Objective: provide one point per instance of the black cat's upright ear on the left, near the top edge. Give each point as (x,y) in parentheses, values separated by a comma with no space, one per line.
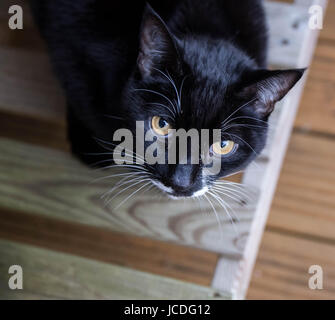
(158,48)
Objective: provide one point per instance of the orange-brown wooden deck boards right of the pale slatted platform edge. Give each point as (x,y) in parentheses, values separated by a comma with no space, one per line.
(301,227)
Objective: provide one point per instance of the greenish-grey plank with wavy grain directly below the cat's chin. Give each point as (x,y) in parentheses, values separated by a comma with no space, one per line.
(51,183)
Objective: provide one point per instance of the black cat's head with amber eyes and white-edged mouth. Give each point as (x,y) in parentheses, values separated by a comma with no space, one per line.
(192,82)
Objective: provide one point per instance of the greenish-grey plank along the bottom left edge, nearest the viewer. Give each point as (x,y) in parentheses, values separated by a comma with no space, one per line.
(47,274)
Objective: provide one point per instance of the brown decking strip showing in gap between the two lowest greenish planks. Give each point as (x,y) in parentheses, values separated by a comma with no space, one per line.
(161,258)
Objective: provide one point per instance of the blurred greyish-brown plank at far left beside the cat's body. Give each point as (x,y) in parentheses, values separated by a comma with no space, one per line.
(27,86)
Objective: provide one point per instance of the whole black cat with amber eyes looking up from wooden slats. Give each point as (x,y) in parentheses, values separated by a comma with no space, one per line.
(172,64)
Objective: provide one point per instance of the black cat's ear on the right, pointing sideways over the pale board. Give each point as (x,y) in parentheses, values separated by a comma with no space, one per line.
(268,87)
